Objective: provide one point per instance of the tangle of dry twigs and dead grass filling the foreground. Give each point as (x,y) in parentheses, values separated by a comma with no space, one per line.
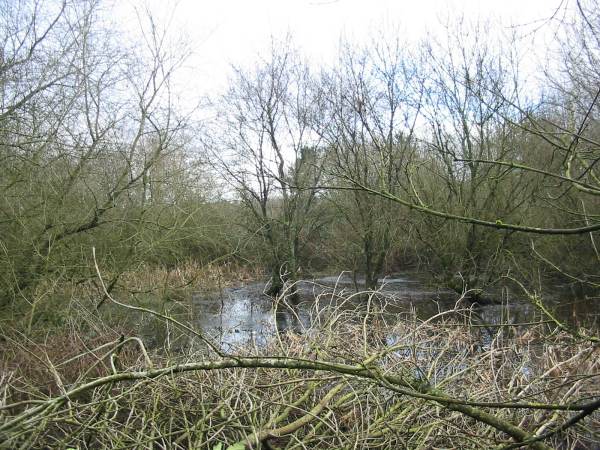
(297,408)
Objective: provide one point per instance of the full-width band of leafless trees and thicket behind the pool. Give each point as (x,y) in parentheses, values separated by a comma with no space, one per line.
(440,155)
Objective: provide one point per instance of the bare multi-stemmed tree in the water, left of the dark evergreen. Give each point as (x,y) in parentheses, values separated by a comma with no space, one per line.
(270,155)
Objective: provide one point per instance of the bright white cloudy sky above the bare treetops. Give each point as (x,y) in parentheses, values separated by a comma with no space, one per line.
(225,32)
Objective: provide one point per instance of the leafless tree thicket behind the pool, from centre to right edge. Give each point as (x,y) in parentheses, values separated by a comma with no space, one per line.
(440,155)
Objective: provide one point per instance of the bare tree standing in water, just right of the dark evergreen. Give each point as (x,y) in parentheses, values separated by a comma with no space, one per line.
(371,116)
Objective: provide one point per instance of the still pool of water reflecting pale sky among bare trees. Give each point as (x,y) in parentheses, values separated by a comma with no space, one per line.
(244,315)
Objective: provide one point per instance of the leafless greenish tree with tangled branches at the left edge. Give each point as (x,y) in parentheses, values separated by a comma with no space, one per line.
(84,121)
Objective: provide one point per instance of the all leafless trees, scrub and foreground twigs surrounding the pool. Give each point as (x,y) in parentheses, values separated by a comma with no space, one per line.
(443,157)
